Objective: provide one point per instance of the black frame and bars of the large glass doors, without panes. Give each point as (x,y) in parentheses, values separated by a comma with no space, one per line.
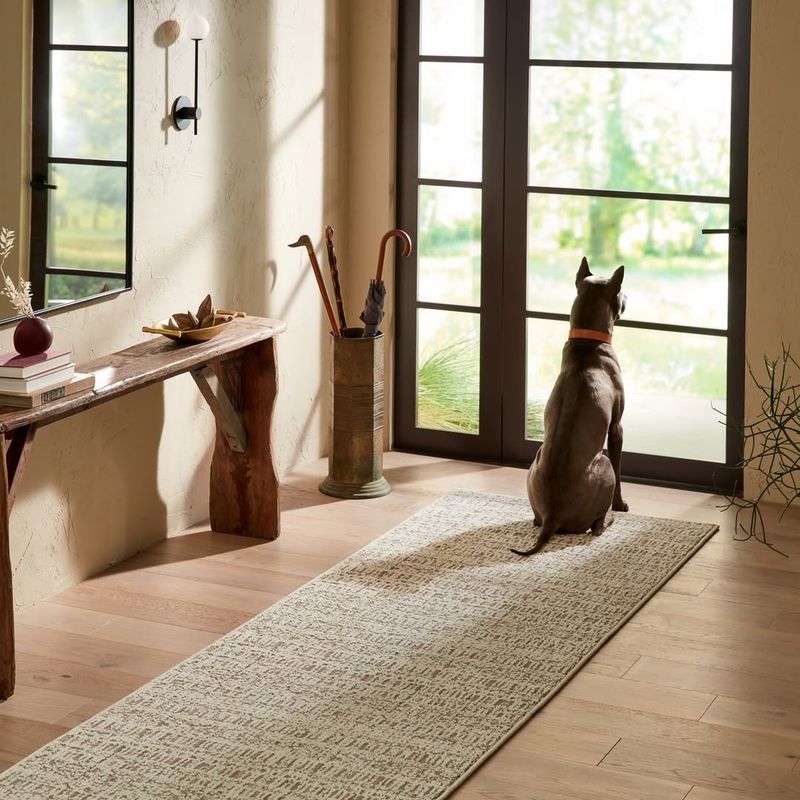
(503,280)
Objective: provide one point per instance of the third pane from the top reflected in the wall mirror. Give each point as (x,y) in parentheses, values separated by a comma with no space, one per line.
(87,218)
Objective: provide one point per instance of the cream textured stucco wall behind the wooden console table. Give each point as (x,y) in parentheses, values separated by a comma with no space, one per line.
(213,212)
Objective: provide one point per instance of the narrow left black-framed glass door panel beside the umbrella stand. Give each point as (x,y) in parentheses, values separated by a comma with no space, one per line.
(452,106)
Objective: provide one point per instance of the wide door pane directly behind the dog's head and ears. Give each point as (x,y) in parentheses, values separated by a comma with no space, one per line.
(674,274)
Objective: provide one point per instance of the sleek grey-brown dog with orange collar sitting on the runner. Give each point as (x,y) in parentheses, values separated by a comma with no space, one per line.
(572,483)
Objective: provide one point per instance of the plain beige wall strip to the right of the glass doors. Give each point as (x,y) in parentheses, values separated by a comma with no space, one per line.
(773,246)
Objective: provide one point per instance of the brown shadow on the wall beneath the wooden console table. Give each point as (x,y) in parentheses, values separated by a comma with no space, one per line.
(98,476)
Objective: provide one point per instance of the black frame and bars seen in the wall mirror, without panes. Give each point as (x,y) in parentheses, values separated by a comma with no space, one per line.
(41,160)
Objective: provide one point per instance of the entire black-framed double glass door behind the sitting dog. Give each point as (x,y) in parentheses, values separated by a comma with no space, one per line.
(535,132)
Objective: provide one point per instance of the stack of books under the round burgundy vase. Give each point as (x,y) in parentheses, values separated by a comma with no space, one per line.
(30,381)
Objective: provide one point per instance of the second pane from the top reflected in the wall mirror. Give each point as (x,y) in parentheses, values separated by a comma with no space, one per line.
(89,105)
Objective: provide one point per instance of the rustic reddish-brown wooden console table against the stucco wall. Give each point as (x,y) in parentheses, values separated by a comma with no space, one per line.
(236,373)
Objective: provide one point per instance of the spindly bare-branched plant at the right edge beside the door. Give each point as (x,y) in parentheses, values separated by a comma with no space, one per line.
(771,445)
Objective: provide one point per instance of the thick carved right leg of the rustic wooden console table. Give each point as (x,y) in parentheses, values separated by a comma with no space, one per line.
(244,485)
